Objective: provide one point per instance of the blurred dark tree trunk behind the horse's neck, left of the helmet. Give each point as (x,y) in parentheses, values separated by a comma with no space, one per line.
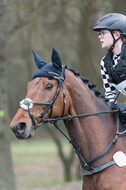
(84,48)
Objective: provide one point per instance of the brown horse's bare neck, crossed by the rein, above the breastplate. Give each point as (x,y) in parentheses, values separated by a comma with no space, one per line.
(91,134)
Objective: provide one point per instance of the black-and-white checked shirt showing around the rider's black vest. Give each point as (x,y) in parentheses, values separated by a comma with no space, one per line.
(110,88)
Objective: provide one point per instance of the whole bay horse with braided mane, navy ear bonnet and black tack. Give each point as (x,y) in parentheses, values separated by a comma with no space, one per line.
(57,93)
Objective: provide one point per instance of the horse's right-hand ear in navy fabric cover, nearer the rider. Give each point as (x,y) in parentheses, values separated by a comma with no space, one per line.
(56,59)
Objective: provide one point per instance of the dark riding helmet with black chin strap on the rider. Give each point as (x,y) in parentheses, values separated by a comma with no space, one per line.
(111,22)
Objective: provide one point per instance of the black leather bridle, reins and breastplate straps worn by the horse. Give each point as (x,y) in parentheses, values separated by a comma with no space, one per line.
(27,104)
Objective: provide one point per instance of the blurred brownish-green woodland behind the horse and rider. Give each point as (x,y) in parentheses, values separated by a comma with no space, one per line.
(42,25)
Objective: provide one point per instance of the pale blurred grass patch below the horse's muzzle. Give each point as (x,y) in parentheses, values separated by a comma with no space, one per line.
(36,163)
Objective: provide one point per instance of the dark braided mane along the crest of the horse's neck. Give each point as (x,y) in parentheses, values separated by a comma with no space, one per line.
(91,86)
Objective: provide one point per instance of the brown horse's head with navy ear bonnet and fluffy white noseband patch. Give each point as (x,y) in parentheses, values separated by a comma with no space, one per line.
(46,97)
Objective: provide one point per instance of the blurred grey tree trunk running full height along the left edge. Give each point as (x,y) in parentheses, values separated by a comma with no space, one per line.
(7,181)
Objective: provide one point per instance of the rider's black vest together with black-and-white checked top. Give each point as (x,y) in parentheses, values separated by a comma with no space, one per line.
(113,72)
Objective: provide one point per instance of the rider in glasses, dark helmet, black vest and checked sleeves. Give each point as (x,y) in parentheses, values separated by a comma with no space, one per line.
(112,36)
